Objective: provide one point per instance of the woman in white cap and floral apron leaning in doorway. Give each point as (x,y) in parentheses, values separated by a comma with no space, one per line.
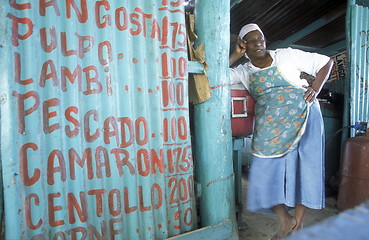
(287,168)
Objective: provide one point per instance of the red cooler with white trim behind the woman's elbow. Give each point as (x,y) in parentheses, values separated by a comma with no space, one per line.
(242,111)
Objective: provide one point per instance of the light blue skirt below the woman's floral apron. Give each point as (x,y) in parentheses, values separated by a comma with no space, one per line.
(296,178)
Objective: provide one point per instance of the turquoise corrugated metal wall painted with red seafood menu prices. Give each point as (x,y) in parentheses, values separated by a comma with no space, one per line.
(94,120)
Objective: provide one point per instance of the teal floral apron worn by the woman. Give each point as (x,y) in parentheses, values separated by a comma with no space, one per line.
(280,113)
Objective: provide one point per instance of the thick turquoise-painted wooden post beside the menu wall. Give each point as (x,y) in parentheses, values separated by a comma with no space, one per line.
(213,142)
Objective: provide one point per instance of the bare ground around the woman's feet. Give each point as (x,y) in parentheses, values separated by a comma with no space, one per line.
(255,226)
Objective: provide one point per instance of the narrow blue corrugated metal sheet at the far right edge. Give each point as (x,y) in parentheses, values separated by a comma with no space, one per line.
(359,63)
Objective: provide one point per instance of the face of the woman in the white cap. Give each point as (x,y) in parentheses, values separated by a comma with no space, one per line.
(255,45)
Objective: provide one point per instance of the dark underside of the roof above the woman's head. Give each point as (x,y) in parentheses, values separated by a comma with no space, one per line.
(281,19)
